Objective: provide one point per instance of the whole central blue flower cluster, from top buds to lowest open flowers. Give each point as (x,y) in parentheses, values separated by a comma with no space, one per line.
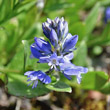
(57,52)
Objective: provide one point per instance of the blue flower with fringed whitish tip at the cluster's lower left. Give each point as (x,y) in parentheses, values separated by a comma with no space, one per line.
(34,76)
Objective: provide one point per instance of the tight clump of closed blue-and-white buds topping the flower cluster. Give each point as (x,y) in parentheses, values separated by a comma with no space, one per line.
(55,29)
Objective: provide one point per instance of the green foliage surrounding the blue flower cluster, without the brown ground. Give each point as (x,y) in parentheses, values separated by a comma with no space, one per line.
(21,21)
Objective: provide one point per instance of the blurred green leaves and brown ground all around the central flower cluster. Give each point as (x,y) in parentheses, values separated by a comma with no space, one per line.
(21,21)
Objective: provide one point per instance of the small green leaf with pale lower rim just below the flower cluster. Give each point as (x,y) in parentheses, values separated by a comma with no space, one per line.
(59,87)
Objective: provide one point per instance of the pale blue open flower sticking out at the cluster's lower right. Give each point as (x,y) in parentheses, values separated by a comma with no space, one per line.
(69,69)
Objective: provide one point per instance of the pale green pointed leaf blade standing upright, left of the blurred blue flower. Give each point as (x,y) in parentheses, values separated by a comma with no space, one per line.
(91,19)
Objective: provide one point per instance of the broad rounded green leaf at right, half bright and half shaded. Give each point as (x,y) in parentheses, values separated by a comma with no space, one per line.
(94,80)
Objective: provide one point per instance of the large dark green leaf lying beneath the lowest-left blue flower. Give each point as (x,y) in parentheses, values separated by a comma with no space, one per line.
(17,85)
